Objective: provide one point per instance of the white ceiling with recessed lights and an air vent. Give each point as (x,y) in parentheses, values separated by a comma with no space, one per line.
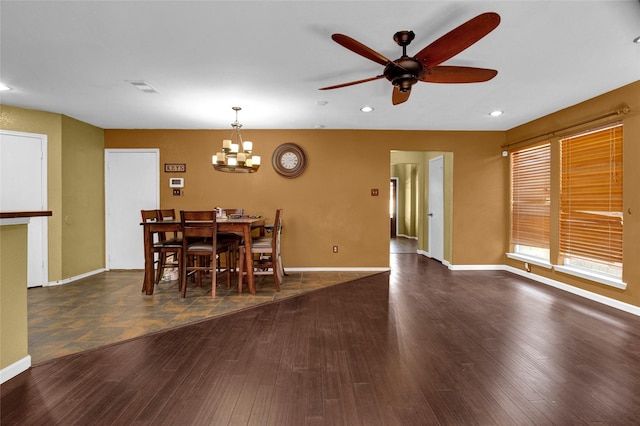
(270,58)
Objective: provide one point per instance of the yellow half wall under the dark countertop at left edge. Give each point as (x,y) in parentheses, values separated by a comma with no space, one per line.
(13,294)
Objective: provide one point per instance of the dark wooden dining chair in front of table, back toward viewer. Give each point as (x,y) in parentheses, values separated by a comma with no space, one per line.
(201,248)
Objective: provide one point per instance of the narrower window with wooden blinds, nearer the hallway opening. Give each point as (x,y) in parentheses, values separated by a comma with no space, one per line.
(531,200)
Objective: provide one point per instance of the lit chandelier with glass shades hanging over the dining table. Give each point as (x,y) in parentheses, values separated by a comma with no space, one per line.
(235,156)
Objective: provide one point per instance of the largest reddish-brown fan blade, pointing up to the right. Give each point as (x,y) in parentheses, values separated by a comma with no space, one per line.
(458,39)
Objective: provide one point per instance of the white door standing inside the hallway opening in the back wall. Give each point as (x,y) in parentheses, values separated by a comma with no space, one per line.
(436,208)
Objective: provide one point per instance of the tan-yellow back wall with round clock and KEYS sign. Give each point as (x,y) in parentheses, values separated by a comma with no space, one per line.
(331,203)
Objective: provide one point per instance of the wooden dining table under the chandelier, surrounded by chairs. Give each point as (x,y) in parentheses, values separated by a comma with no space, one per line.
(244,225)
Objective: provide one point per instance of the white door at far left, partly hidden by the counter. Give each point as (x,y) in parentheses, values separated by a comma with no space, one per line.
(23,186)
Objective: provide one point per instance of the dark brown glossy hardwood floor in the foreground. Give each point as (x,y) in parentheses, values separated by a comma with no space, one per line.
(420,345)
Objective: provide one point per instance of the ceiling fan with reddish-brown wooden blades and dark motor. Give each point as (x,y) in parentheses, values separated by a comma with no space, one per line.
(406,71)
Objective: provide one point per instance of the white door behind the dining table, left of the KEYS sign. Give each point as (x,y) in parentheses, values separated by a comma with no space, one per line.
(131,185)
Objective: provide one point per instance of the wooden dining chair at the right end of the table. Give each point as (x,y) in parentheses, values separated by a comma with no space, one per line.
(265,255)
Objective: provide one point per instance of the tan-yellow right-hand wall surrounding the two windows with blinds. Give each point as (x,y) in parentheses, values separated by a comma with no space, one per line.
(554,126)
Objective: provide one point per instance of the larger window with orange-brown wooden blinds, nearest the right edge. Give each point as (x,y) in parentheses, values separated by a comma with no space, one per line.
(591,201)
